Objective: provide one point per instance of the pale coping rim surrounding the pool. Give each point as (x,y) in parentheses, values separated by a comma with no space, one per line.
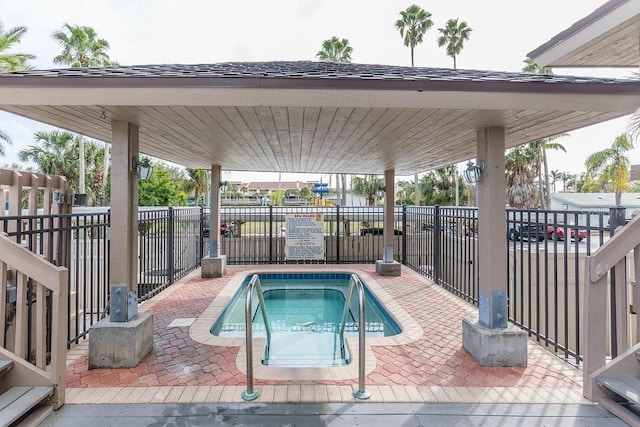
(200,331)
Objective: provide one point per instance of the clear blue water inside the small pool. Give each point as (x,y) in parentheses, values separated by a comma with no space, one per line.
(304,311)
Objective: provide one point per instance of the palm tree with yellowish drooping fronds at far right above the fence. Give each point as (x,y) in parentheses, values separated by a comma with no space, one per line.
(612,164)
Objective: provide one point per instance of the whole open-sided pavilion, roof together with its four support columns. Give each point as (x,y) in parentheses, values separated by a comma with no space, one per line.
(317,117)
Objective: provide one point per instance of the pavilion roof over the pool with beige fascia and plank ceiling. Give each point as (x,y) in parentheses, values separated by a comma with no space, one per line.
(350,121)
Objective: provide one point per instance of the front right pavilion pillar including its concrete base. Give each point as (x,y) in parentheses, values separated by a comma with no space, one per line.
(489,339)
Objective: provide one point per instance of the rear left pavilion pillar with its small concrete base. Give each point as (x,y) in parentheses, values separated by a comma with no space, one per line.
(214,265)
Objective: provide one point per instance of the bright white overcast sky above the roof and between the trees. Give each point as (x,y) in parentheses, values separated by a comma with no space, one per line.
(143,32)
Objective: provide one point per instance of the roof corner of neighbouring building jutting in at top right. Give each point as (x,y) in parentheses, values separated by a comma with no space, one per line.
(608,37)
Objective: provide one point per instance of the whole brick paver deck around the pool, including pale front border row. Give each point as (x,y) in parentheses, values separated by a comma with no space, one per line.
(432,368)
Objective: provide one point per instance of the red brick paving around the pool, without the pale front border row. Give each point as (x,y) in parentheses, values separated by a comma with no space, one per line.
(436,359)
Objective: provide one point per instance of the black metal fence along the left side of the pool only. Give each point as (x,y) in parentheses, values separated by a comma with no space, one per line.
(170,246)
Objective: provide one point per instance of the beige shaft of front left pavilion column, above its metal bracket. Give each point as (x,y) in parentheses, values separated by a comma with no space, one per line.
(124,205)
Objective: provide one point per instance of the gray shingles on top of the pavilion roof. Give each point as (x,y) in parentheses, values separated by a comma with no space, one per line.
(309,70)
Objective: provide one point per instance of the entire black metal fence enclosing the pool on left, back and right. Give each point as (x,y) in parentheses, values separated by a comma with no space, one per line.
(545,261)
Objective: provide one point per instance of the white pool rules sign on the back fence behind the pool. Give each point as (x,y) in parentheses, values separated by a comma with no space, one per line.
(305,237)
